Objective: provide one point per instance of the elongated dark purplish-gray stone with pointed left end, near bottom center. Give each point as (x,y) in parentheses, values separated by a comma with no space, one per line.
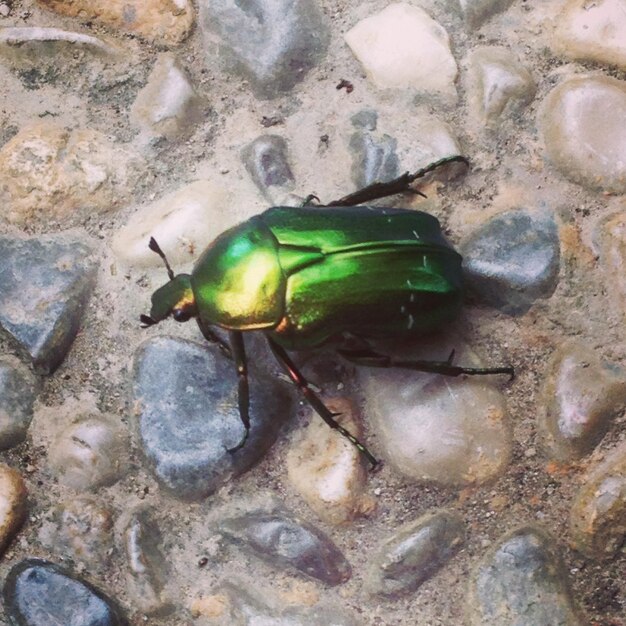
(287,543)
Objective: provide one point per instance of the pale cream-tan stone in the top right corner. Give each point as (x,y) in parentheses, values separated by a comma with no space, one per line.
(592,31)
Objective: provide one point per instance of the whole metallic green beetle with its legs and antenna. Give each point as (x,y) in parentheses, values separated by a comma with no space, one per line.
(305,275)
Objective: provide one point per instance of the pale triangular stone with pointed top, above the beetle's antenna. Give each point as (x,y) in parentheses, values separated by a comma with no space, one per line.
(168,105)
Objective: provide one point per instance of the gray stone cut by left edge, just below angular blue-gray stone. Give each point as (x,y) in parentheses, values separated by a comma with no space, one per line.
(18,390)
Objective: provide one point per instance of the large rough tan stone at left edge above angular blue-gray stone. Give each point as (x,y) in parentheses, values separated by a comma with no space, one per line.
(49,173)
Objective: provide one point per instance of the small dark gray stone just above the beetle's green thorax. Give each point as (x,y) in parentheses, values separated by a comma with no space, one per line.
(266,161)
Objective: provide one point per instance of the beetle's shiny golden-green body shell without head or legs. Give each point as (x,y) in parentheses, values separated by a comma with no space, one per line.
(307,274)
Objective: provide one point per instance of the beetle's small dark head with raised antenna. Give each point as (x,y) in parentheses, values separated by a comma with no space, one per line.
(175,298)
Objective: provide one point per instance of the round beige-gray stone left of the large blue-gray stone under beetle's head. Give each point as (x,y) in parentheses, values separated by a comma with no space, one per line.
(93,452)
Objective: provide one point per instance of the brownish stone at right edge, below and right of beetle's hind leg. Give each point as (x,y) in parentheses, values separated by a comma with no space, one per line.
(580,397)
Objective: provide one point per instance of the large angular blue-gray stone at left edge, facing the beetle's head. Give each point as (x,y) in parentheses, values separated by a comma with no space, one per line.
(44,286)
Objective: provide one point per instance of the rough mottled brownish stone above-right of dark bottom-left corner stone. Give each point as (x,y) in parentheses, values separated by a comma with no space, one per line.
(80,529)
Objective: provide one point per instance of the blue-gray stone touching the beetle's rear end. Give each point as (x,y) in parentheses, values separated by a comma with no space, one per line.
(513,260)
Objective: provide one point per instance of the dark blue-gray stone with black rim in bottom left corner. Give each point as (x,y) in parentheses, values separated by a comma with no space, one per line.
(40,593)
